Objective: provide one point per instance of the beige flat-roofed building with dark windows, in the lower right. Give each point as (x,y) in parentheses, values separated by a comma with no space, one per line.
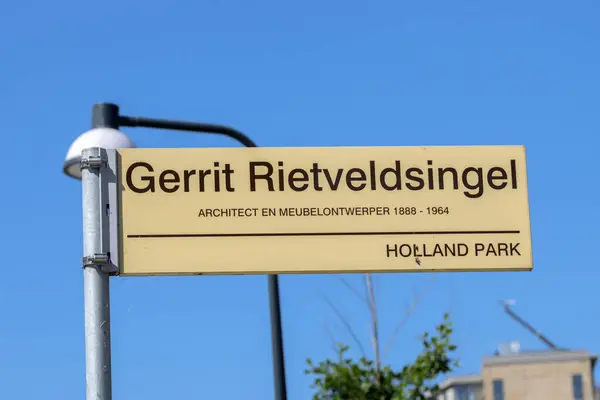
(538,375)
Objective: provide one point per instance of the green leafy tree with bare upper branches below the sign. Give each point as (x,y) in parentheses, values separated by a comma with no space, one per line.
(344,378)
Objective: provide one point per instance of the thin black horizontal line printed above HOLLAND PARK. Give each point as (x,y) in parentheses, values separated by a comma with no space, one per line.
(405,233)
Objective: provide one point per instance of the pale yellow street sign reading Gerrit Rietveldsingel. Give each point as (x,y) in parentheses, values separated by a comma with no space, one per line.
(322,210)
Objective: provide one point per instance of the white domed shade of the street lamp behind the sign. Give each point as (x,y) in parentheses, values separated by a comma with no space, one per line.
(106,138)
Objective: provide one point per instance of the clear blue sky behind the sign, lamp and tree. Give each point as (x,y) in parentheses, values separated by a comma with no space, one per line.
(289,74)
